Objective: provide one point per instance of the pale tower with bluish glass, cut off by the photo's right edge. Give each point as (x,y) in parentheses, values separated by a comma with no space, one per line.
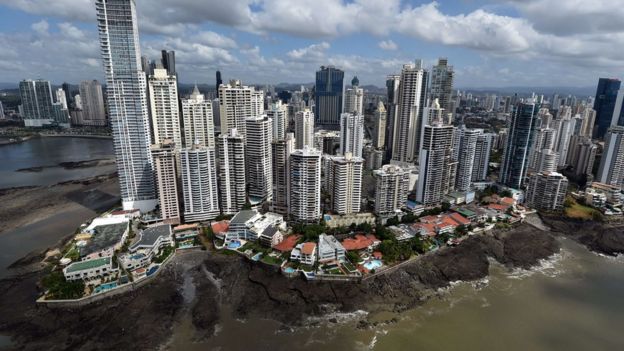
(611,170)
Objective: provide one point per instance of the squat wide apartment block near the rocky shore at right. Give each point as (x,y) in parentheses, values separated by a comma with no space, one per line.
(546,191)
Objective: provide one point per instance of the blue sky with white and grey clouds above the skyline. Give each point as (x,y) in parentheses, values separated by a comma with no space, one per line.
(490,43)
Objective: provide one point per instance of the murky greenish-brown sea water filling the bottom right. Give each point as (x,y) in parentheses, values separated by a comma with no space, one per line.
(570,302)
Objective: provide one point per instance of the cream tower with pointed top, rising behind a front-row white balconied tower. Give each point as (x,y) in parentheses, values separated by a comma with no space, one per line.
(198,121)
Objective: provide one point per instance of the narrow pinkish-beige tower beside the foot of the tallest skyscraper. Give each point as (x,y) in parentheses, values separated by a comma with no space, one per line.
(164,157)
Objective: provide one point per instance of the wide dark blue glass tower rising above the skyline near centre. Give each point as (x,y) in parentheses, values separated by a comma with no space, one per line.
(328,96)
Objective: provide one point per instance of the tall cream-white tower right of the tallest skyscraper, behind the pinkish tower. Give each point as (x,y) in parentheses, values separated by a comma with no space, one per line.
(163,98)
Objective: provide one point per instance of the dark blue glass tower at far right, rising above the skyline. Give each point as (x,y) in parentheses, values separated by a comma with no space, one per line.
(604,105)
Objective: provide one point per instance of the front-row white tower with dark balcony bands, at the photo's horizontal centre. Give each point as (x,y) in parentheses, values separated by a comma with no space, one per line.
(304,185)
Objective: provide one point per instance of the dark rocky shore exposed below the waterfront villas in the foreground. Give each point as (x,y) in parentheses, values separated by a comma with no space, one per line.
(219,283)
